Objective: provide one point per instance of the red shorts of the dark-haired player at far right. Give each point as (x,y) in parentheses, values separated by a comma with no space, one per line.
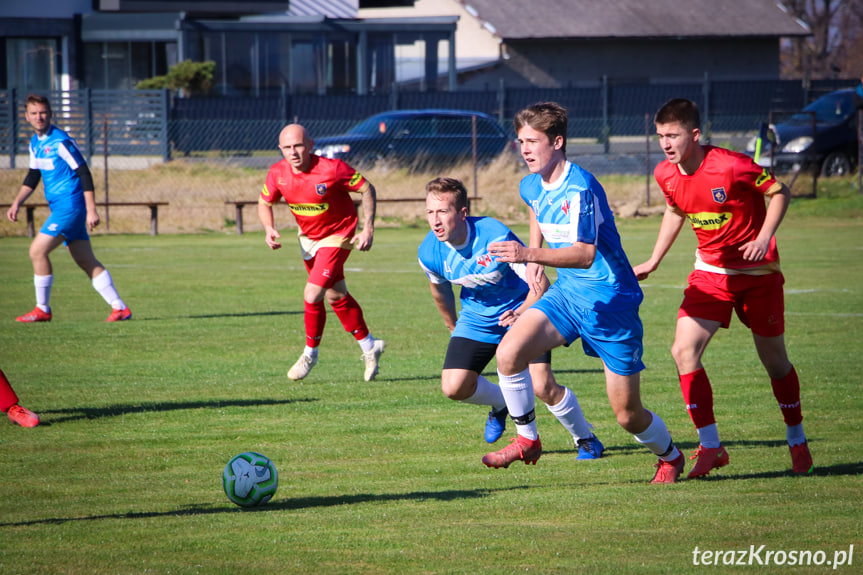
(758,300)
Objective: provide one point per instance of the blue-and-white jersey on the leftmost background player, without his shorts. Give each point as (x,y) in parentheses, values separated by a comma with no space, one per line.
(56,156)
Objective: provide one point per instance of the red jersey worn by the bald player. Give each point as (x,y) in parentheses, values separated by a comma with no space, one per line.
(319,198)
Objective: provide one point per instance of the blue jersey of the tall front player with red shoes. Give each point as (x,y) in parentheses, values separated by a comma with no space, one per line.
(575,209)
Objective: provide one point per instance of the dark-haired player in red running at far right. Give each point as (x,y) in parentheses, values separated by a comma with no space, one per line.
(722,193)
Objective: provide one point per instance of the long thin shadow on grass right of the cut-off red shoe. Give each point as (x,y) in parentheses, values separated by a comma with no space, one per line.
(78,413)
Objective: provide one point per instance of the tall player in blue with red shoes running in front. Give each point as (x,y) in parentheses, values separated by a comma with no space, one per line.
(595,298)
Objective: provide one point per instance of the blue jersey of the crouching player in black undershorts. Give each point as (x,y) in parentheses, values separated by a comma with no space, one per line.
(488,287)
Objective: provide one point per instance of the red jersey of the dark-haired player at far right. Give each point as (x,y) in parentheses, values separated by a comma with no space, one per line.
(725,203)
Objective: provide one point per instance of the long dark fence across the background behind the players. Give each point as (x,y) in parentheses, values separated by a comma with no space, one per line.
(153,123)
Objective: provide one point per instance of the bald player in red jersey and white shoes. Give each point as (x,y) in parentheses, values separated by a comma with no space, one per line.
(318,192)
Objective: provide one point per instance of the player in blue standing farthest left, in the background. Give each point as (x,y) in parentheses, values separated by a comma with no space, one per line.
(69,190)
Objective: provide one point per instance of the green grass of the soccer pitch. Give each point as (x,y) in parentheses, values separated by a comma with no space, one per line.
(124,475)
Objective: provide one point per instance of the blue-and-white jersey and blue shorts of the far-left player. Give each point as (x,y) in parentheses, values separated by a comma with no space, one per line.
(56,156)
